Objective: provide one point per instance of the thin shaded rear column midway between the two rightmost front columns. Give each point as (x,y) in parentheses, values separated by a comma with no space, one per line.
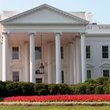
(71,64)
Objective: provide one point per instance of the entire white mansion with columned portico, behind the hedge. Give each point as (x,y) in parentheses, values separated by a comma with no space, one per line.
(49,45)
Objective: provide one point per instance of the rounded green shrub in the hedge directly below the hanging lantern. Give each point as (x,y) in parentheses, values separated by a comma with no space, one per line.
(40,88)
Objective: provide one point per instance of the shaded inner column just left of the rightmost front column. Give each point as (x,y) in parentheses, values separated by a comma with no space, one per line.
(77,61)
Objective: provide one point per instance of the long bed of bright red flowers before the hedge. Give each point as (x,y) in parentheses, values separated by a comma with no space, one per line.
(54,98)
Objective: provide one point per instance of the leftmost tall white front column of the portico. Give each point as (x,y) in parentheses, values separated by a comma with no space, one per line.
(5,57)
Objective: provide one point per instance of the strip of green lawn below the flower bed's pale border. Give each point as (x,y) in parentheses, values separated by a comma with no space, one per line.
(54,107)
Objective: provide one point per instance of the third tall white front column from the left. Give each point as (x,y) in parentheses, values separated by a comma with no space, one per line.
(58,59)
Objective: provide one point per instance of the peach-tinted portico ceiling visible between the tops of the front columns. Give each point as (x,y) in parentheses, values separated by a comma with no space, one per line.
(46,37)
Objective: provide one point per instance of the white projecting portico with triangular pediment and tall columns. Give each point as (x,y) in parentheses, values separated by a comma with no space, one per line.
(58,29)
